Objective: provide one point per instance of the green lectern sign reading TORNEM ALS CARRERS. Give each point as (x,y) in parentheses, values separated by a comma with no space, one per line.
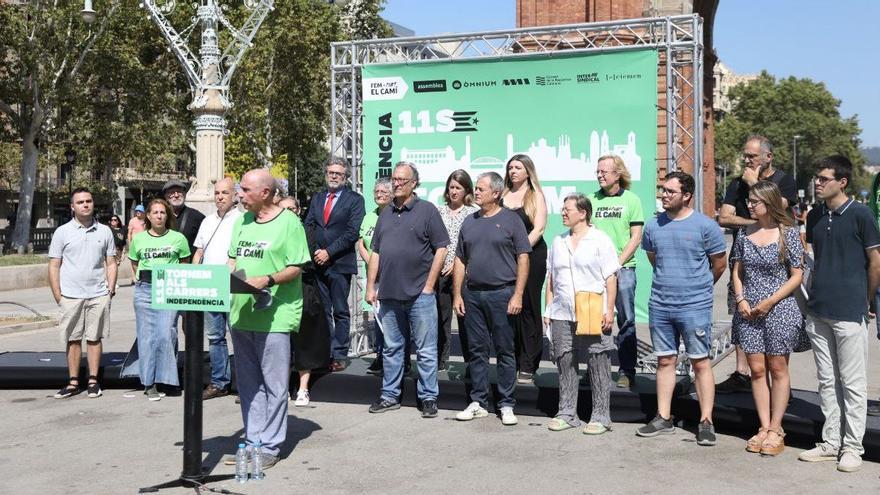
(191,287)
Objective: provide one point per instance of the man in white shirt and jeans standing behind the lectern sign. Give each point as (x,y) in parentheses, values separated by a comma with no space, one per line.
(212,248)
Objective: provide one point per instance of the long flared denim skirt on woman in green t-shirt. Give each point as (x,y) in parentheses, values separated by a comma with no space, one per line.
(153,357)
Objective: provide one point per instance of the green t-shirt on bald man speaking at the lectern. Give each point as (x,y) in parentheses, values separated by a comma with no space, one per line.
(263,249)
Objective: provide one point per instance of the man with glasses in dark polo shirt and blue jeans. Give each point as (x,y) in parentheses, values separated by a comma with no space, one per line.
(409,247)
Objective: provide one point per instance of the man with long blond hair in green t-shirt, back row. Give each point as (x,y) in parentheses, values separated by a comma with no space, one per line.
(617,211)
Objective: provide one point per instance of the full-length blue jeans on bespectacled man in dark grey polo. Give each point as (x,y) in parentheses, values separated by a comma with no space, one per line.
(402,320)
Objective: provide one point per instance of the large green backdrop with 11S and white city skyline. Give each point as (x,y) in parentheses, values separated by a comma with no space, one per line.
(564,112)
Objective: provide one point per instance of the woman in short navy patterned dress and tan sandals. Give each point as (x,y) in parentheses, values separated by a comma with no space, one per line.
(768,324)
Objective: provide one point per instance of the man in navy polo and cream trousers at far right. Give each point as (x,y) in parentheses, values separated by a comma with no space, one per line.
(846,274)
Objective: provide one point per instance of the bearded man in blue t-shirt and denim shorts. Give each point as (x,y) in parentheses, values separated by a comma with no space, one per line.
(687,251)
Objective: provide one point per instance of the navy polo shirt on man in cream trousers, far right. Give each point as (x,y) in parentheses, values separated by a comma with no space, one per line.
(840,241)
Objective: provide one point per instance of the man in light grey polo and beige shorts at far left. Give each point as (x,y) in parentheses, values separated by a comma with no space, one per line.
(82,275)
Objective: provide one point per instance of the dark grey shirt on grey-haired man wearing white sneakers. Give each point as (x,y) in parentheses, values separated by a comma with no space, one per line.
(489,247)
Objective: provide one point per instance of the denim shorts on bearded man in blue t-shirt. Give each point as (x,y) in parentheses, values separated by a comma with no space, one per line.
(669,327)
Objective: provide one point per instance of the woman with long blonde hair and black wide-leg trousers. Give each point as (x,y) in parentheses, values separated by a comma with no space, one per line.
(523,195)
